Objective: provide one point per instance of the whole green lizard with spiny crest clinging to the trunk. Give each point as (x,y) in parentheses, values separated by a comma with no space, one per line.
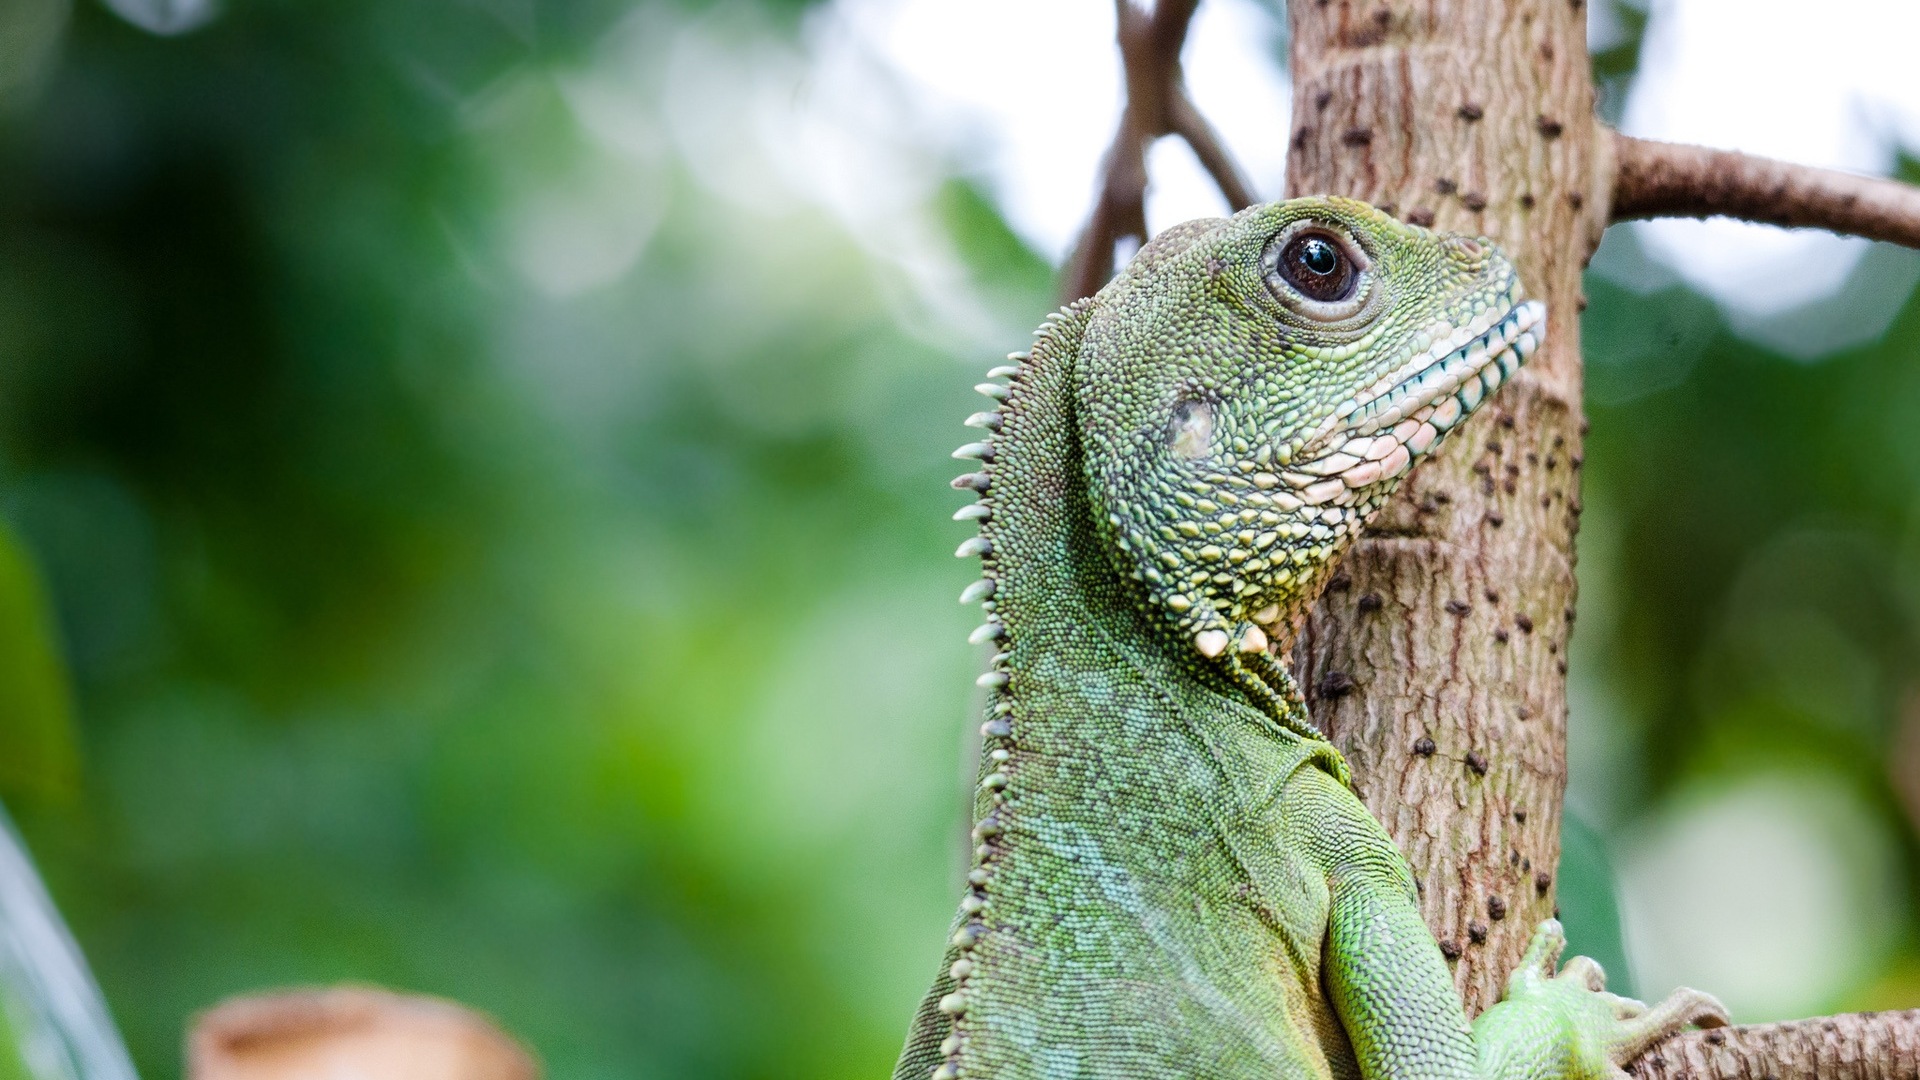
(1172,873)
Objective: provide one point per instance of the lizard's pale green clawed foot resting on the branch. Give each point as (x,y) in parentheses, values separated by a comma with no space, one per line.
(1593,1033)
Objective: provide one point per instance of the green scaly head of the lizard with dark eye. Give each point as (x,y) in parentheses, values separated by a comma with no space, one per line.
(1253,391)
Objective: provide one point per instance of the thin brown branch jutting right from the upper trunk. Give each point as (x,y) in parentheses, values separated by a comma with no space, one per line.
(1669,180)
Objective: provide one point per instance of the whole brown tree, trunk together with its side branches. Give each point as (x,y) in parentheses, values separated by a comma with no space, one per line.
(1437,656)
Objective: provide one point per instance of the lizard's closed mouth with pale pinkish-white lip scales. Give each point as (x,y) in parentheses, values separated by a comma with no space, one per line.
(1378,435)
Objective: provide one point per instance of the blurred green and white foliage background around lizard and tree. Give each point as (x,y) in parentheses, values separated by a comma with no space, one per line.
(473,501)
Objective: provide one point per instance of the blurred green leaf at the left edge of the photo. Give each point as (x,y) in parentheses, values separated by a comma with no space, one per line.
(37,752)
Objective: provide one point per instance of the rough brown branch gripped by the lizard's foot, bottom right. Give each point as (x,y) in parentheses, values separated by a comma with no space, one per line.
(1854,1046)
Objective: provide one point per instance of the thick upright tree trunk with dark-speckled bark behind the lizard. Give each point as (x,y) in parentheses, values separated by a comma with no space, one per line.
(1437,658)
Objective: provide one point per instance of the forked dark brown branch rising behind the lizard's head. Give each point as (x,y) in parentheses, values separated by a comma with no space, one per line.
(1157,105)
